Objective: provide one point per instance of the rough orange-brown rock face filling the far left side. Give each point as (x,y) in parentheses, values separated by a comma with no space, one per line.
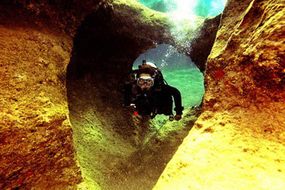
(36,138)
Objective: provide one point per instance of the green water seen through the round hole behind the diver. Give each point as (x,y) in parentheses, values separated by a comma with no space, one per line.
(178,70)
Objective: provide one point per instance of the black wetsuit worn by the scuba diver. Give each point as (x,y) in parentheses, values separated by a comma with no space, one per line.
(157,100)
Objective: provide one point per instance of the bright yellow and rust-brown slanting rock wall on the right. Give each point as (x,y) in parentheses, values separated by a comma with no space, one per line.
(238,141)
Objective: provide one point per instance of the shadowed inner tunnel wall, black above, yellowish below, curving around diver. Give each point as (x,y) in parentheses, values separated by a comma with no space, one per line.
(113,152)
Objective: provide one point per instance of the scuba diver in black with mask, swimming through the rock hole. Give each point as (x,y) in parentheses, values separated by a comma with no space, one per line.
(148,93)
